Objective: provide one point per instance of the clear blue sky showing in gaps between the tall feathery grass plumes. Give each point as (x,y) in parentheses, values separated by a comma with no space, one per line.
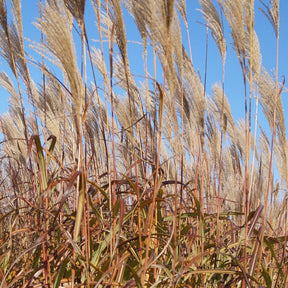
(233,79)
